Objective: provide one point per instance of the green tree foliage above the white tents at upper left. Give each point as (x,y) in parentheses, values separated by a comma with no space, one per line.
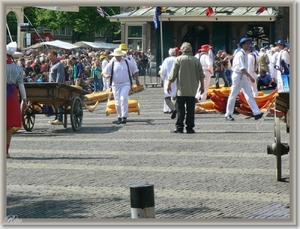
(83,23)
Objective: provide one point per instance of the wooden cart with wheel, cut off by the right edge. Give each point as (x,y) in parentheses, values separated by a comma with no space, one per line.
(278,148)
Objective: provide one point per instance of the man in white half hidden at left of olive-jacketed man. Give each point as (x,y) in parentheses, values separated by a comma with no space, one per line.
(165,72)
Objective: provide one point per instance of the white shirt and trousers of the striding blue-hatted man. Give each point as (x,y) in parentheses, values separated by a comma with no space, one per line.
(240,81)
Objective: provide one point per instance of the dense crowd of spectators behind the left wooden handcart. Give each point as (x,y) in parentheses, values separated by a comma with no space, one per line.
(36,66)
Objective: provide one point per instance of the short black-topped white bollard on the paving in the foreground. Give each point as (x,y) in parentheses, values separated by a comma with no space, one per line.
(142,201)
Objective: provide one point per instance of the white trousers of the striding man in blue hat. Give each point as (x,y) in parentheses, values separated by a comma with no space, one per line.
(240,81)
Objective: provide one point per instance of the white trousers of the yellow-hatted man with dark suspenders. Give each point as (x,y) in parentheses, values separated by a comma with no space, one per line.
(121,99)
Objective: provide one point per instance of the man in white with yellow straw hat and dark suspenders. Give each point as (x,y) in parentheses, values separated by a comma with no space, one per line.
(120,71)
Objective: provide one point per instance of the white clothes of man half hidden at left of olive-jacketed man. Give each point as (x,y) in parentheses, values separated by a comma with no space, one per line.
(165,72)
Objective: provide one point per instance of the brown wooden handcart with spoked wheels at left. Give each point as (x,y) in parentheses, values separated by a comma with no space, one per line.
(53,94)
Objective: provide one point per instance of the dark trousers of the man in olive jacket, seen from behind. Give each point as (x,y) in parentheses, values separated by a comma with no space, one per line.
(189,102)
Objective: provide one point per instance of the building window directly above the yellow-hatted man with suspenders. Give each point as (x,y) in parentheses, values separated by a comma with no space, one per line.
(135,36)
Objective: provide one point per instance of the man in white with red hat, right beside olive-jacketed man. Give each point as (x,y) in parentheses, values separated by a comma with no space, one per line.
(207,68)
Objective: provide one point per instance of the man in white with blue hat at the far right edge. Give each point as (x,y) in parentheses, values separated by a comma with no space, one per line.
(283,55)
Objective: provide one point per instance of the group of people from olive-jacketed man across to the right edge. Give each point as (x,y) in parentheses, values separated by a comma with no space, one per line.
(187,77)
